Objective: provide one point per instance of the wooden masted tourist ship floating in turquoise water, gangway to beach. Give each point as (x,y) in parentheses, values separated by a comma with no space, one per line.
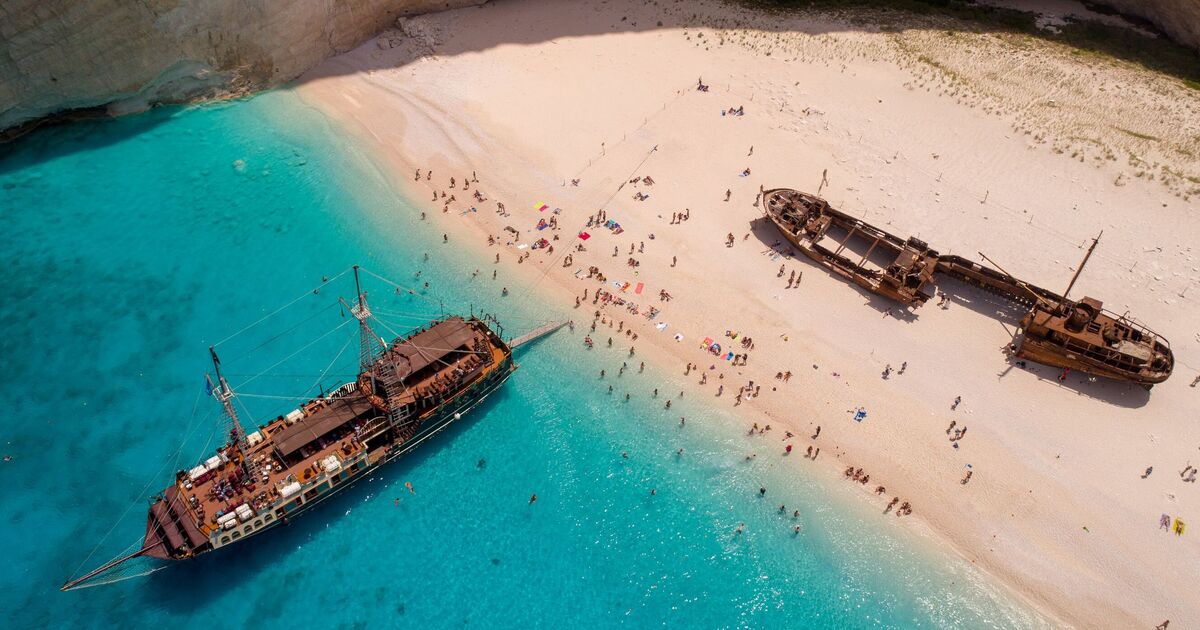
(406,392)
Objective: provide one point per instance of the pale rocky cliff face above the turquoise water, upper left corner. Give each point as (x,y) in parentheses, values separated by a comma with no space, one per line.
(123,56)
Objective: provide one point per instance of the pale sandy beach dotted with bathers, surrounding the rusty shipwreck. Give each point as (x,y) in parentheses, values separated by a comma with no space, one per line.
(944,136)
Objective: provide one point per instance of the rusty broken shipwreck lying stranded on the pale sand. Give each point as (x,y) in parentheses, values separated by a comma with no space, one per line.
(1057,332)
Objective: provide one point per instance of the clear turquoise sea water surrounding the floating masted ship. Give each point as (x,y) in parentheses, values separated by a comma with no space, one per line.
(130,247)
